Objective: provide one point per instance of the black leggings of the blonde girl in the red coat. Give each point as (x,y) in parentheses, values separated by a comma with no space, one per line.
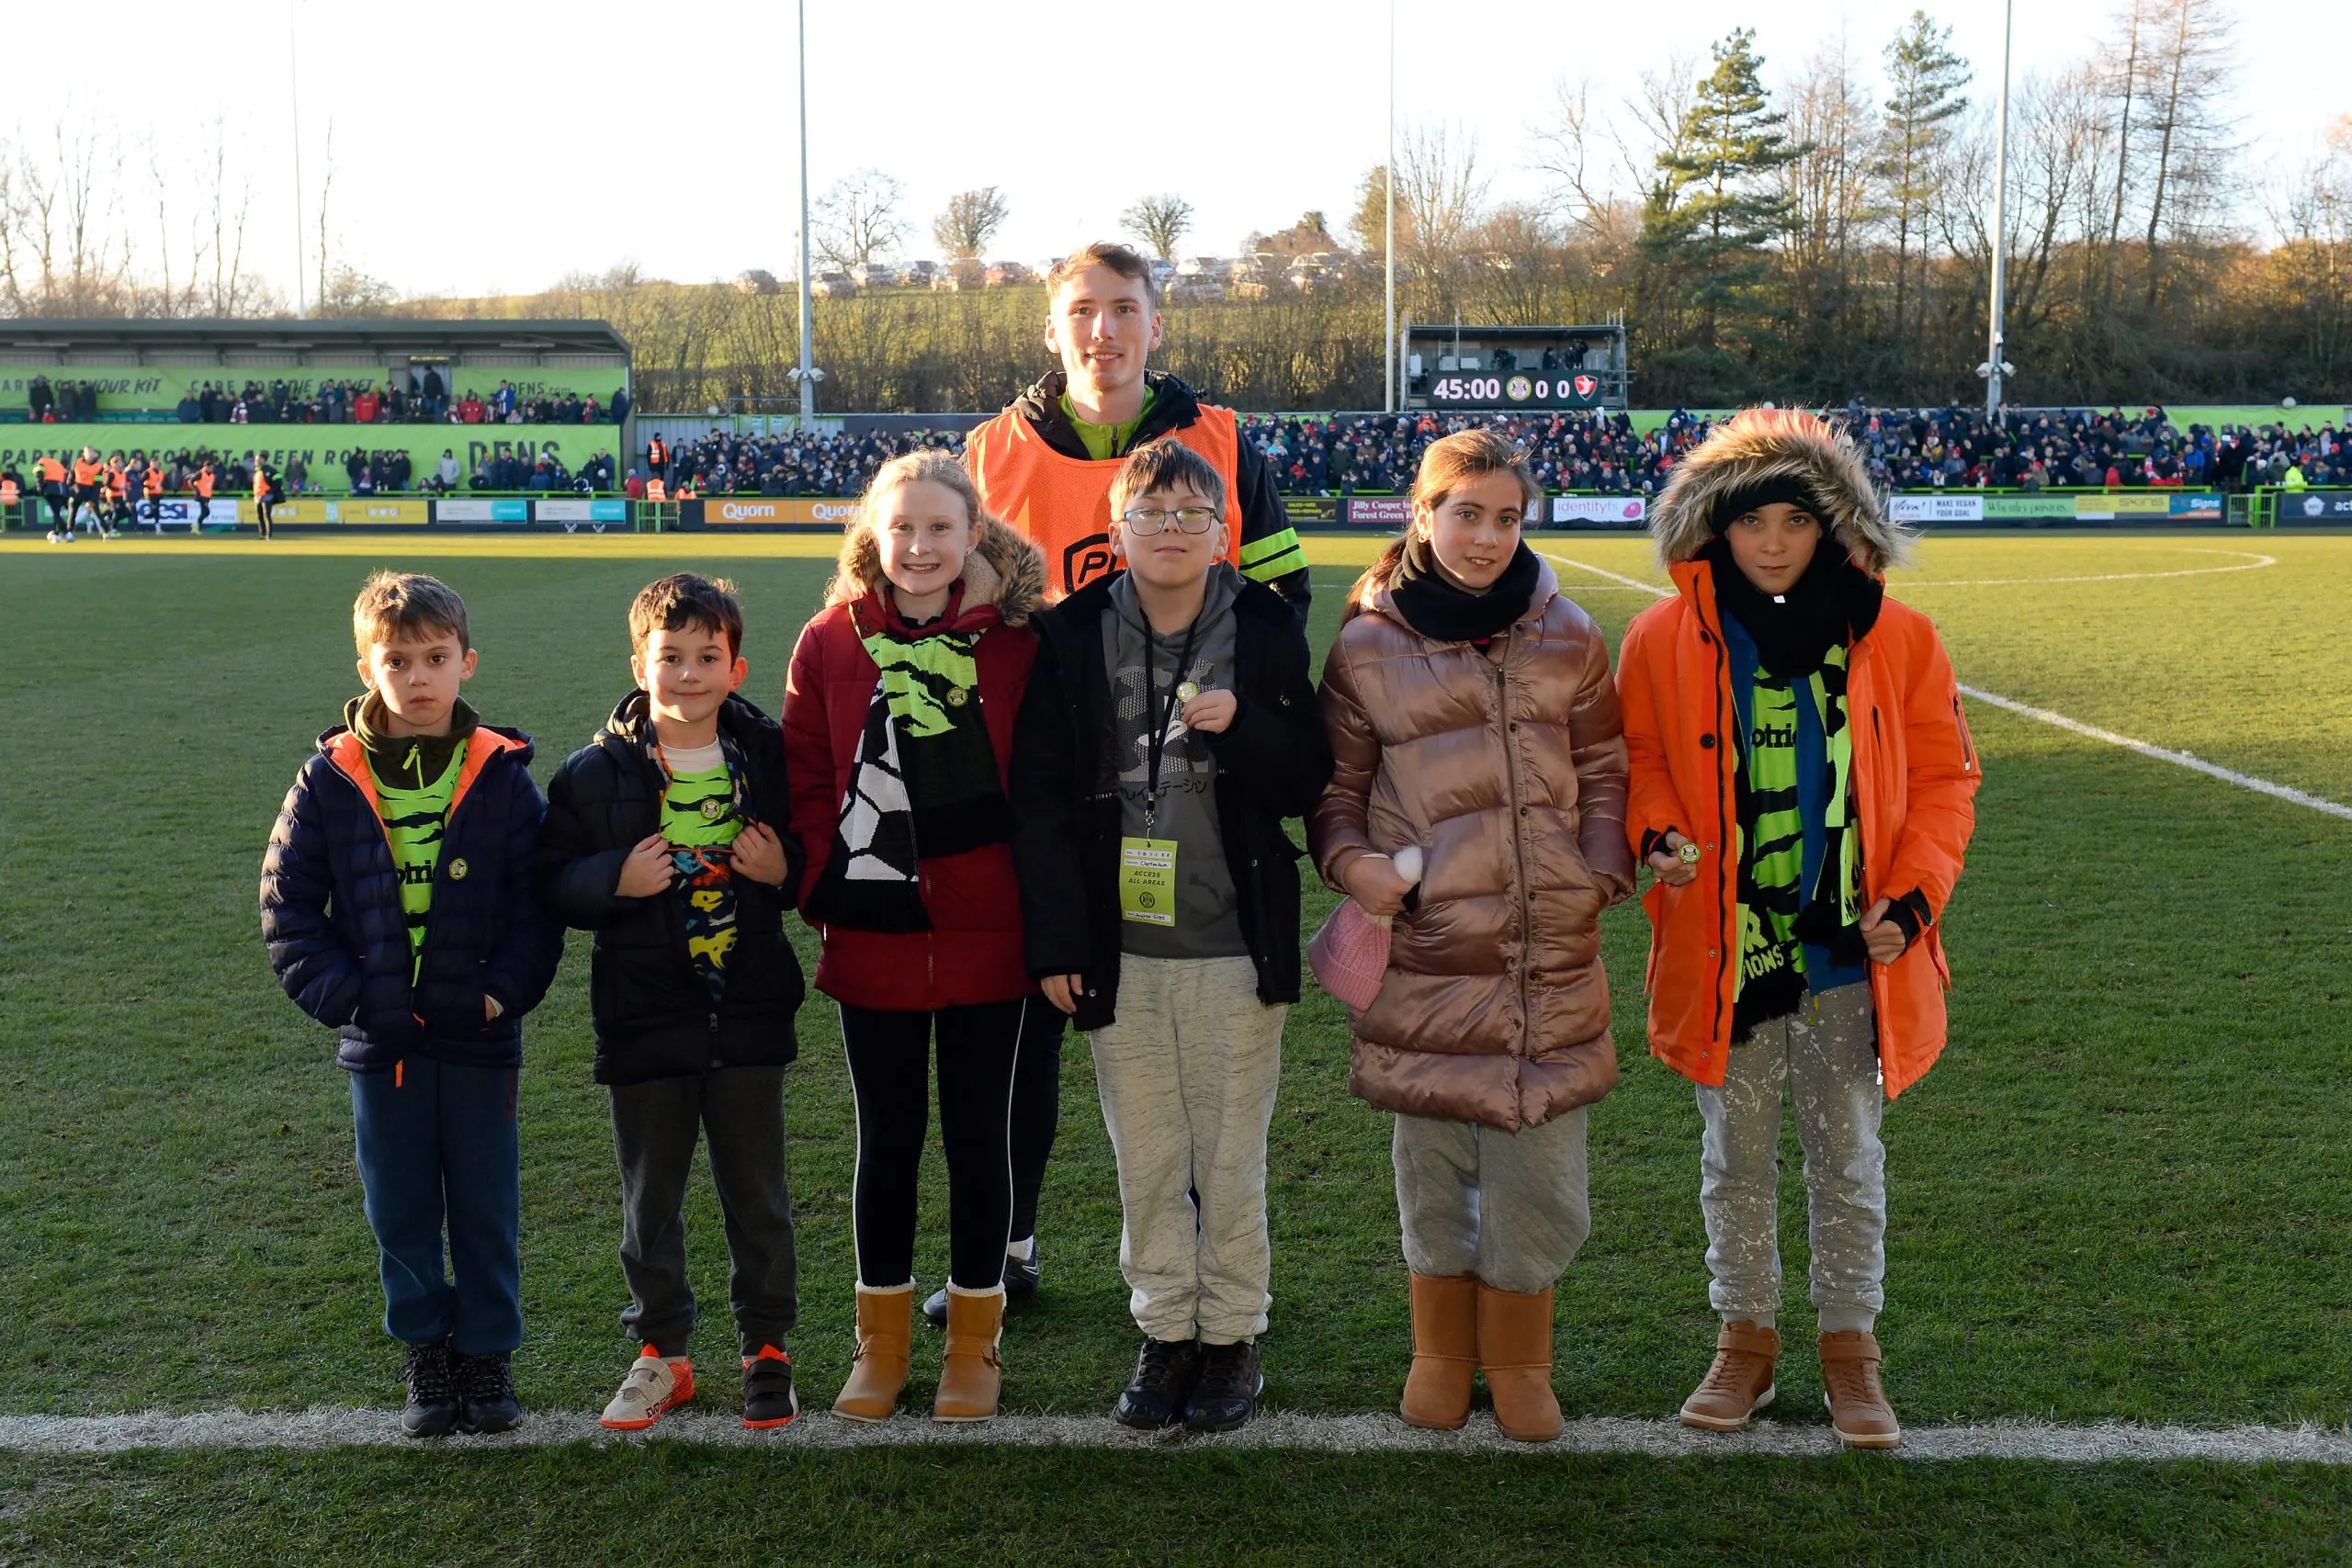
(890,1066)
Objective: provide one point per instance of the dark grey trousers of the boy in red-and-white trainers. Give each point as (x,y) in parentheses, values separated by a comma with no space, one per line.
(653,1132)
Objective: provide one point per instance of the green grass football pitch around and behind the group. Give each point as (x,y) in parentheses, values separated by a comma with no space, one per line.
(2123,1195)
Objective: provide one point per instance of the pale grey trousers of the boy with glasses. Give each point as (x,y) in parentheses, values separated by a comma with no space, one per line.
(1189,1080)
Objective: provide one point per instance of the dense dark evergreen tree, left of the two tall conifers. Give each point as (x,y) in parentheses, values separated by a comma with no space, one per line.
(1718,208)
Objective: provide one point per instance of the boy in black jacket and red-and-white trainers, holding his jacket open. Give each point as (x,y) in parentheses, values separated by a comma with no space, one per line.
(667,838)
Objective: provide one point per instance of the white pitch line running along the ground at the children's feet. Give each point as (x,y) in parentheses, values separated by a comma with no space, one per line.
(1666,1440)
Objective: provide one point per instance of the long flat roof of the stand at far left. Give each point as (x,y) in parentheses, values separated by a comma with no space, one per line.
(126,340)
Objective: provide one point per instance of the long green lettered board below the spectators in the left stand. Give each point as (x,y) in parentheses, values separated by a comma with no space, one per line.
(321,448)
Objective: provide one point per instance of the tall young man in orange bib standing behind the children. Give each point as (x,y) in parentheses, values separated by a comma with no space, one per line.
(1045,469)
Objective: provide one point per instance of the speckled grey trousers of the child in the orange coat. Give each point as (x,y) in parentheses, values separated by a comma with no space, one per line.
(1826,1057)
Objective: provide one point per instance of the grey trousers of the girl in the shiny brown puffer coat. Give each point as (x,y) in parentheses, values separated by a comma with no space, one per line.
(1506,1207)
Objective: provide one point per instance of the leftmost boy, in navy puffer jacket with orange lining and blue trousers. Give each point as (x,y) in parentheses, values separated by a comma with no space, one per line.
(396,902)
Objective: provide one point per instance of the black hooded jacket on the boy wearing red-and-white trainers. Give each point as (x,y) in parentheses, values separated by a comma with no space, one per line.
(653,1014)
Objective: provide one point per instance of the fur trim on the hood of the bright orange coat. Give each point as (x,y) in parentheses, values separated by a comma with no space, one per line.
(1777,445)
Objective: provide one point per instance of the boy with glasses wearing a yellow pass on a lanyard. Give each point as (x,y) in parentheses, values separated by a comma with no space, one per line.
(1168,730)
